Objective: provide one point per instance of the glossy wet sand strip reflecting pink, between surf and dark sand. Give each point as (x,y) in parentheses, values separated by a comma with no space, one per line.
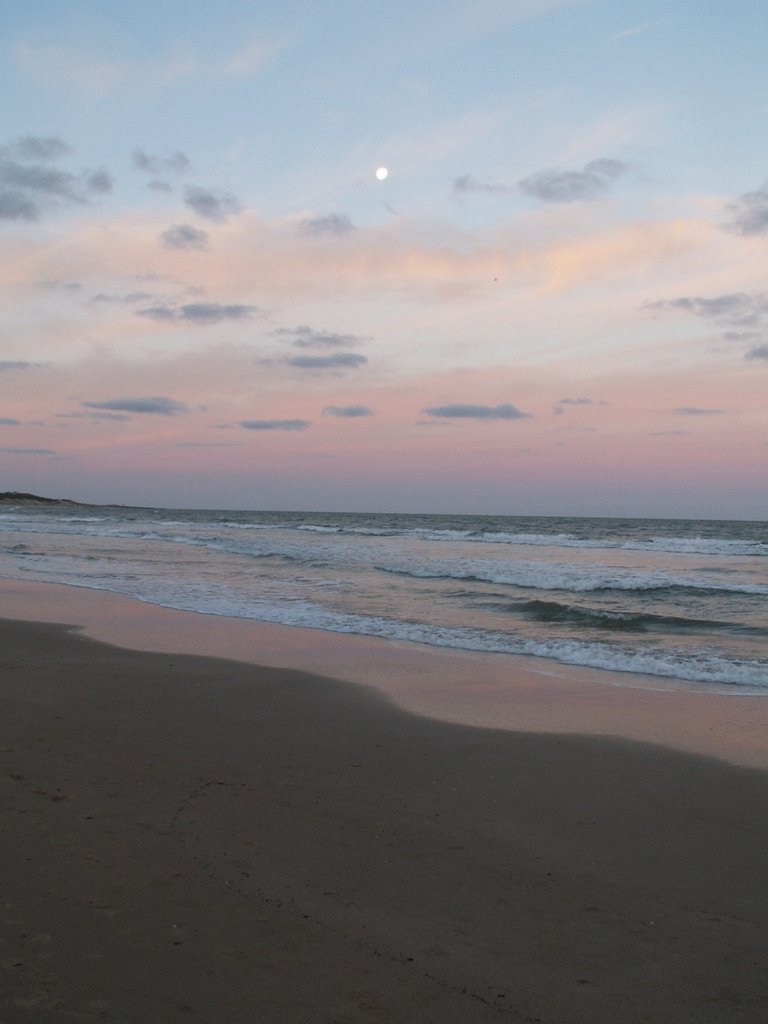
(450,686)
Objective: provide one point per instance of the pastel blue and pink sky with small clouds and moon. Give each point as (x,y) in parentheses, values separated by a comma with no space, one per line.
(467,257)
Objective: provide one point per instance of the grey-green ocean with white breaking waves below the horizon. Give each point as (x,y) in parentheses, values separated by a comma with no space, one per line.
(684,601)
